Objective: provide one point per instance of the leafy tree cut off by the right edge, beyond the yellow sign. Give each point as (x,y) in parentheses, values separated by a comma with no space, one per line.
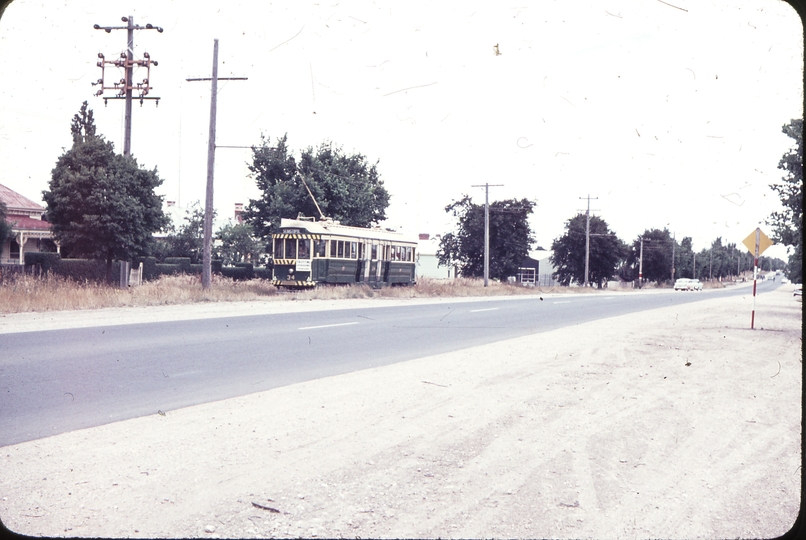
(788,223)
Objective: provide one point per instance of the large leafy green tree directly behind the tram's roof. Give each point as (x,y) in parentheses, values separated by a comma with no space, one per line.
(346,187)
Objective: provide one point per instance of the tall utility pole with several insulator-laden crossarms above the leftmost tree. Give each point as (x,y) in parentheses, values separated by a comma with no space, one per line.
(126,86)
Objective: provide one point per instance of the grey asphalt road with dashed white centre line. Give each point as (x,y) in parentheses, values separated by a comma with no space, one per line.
(61,380)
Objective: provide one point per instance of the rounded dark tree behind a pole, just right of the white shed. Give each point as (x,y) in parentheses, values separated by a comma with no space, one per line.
(607,252)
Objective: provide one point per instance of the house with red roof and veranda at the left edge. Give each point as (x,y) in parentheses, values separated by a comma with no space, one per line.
(29,231)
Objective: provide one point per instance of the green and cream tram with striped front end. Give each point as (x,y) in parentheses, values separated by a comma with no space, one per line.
(308,252)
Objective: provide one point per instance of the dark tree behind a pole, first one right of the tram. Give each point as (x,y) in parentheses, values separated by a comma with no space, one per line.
(510,237)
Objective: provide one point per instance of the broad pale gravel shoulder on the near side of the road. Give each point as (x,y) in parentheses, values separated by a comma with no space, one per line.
(679,422)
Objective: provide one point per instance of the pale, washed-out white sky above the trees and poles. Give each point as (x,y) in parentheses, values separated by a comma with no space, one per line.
(667,114)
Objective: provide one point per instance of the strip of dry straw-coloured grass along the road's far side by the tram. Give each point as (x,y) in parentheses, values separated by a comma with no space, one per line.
(23,293)
